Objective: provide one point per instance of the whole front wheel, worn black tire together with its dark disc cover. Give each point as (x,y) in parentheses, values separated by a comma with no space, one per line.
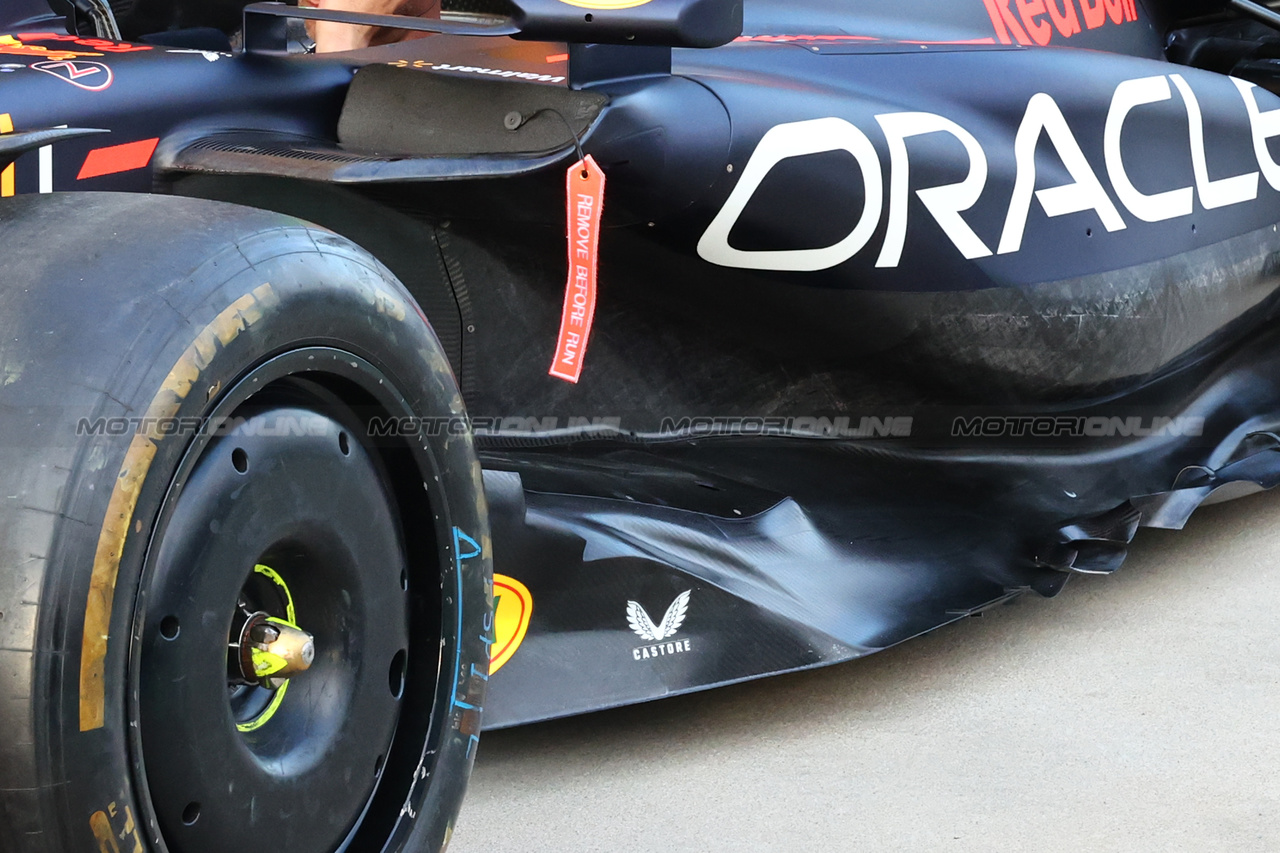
(221,322)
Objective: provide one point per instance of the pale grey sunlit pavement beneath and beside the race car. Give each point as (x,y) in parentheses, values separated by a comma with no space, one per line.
(1133,713)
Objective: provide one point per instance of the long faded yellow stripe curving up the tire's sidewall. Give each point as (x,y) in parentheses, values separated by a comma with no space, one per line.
(226,329)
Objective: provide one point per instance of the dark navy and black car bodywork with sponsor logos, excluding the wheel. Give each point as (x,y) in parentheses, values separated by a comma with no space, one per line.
(906,308)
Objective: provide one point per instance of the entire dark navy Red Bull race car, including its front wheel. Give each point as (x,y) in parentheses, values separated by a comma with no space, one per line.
(578,353)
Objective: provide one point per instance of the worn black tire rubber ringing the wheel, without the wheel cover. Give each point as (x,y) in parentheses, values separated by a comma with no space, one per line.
(102,298)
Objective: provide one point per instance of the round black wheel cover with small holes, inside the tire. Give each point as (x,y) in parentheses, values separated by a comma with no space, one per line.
(286,518)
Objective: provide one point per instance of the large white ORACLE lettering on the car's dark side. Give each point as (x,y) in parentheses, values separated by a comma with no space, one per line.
(947,203)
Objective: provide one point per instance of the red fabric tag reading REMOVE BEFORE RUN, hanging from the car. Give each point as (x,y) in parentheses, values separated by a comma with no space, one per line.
(586,195)
